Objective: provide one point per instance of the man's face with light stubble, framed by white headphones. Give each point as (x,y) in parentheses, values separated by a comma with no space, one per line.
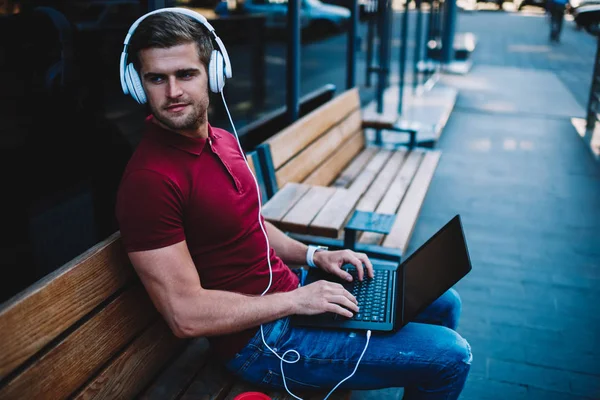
(175,83)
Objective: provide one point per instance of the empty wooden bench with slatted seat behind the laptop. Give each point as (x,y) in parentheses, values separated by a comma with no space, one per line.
(327,173)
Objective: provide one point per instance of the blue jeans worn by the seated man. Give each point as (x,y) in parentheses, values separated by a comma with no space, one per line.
(427,358)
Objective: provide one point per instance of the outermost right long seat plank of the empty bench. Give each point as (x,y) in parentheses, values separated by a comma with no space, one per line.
(409,210)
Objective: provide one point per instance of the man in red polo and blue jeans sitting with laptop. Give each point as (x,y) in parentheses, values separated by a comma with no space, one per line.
(189,217)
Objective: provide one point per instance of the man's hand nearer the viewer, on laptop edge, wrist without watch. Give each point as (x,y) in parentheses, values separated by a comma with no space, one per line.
(324,296)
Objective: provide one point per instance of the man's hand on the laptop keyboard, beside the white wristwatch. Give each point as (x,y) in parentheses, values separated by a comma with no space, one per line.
(332,262)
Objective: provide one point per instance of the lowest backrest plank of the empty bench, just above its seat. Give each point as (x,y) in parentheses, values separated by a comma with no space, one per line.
(330,169)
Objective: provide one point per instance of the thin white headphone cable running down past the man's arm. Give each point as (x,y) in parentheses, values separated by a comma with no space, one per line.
(262,333)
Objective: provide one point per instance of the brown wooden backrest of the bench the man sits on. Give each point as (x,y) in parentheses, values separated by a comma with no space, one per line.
(88,330)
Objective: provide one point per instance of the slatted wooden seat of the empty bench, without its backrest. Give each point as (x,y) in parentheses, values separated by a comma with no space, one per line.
(377,180)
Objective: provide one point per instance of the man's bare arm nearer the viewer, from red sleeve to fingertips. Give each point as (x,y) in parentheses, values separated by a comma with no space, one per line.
(171,279)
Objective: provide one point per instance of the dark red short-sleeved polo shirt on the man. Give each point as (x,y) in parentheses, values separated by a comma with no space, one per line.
(177,188)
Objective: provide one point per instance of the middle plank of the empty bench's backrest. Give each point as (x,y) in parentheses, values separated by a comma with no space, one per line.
(305,162)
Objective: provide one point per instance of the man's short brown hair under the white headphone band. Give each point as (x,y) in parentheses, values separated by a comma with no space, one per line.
(168,29)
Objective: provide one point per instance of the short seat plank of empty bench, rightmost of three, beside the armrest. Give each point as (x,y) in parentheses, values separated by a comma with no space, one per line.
(331,218)
